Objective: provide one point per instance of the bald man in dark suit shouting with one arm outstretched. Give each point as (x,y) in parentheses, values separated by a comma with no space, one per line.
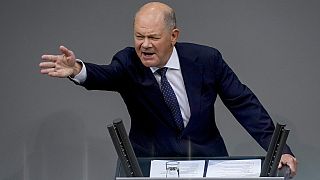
(170,89)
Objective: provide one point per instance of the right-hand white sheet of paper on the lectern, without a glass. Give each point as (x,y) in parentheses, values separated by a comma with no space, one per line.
(234,168)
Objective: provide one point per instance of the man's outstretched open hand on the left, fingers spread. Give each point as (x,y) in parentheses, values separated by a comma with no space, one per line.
(63,65)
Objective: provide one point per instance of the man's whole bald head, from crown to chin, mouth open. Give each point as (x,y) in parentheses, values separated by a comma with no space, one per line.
(155,33)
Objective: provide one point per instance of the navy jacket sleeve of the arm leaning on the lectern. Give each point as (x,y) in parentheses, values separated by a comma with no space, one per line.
(244,105)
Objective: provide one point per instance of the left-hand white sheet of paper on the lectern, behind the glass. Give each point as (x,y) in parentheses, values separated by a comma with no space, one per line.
(187,168)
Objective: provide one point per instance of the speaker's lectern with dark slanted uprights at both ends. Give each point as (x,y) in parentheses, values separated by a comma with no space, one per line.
(133,168)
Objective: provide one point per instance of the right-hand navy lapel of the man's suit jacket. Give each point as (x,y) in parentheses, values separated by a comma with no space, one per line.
(192,76)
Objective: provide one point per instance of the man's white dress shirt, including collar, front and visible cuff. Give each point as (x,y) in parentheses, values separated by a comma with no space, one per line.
(174,77)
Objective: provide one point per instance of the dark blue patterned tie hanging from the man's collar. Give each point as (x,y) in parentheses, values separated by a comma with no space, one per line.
(170,98)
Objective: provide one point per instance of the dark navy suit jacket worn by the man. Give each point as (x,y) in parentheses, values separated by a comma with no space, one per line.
(205,75)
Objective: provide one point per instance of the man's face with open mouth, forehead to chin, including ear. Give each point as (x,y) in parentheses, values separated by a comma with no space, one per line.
(153,40)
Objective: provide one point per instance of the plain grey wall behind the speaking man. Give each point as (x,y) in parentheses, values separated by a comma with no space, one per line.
(51,129)
